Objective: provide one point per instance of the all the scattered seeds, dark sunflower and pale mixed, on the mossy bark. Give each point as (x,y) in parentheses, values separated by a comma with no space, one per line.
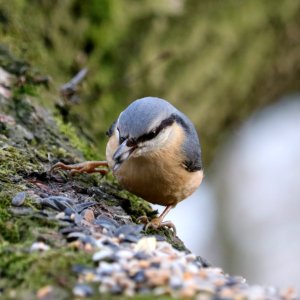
(128,262)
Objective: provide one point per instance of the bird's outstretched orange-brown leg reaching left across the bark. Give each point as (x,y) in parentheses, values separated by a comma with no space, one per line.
(84,167)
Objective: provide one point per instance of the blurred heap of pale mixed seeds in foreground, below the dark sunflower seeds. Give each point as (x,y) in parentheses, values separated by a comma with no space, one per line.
(155,267)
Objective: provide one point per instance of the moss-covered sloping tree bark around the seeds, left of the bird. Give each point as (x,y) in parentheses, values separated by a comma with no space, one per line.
(31,140)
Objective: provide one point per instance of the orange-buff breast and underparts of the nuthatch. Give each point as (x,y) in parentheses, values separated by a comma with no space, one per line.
(159,176)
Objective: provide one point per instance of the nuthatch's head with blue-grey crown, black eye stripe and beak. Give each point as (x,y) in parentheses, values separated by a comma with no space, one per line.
(143,127)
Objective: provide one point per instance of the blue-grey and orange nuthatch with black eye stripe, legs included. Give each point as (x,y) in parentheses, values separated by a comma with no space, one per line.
(154,152)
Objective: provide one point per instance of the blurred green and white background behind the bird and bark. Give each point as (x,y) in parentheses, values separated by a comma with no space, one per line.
(232,66)
